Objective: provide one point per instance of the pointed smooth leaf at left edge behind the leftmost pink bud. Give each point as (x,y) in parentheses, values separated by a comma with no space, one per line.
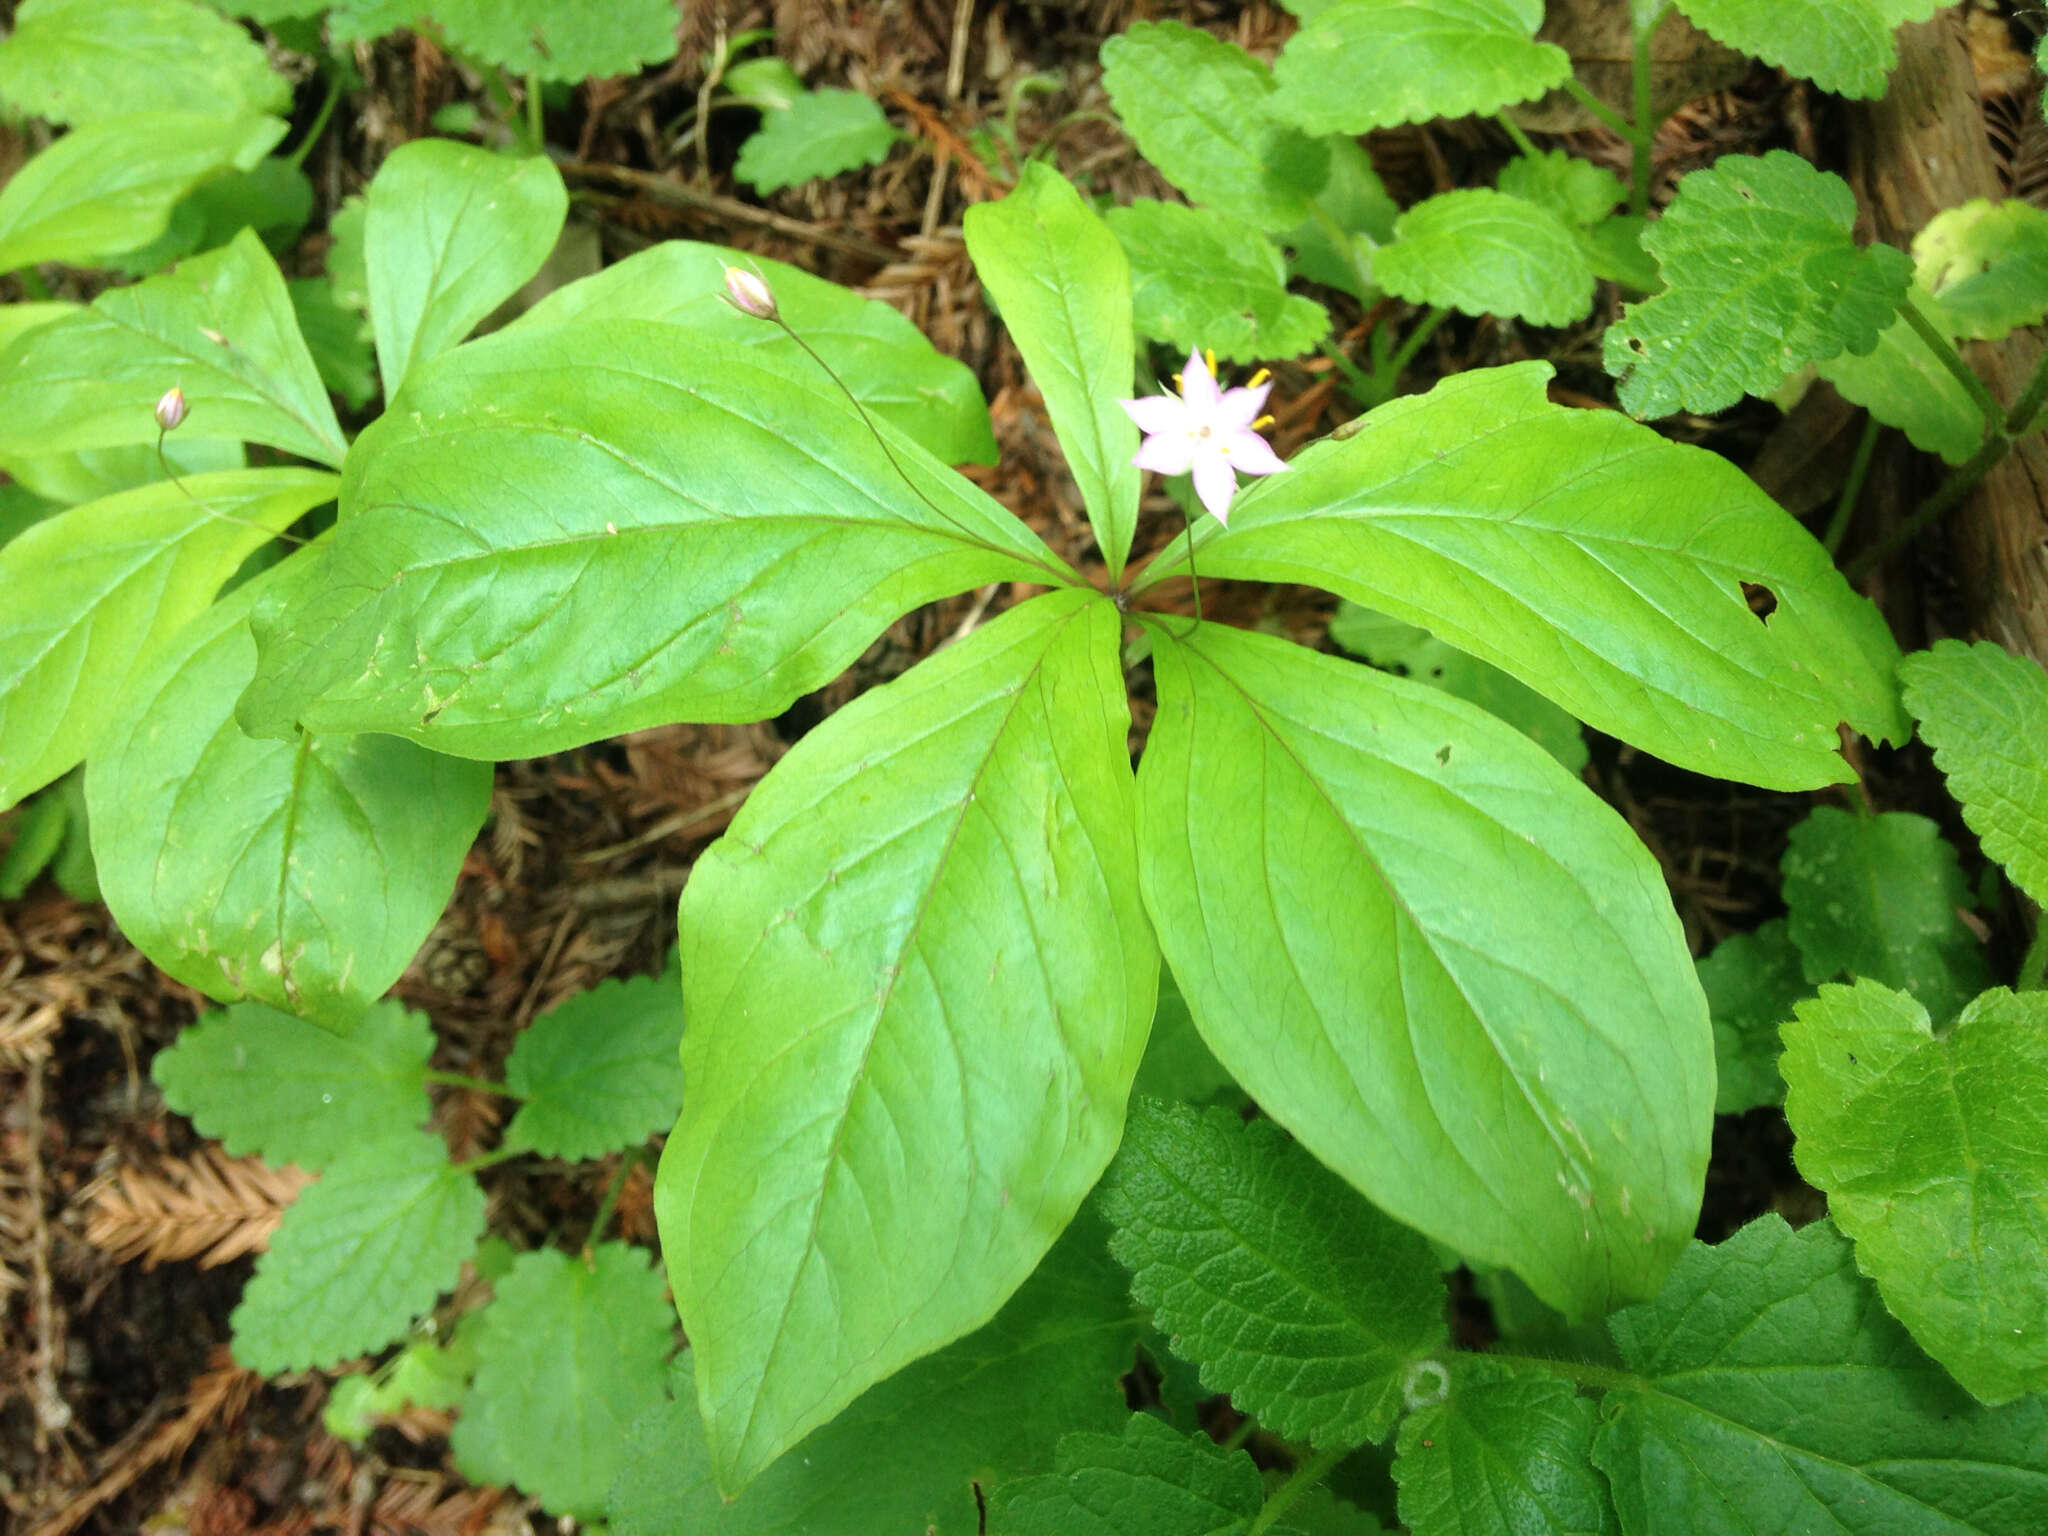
(222,329)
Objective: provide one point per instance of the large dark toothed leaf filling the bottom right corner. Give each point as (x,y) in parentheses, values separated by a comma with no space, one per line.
(1781,1398)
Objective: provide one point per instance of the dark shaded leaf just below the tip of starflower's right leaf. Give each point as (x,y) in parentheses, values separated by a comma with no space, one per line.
(1877,896)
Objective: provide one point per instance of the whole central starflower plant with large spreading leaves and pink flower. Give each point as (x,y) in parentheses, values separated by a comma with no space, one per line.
(923,964)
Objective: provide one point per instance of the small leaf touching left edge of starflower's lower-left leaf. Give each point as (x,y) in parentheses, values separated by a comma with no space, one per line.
(599,1074)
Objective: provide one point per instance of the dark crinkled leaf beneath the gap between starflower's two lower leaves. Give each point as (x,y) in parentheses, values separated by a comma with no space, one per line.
(1265,1269)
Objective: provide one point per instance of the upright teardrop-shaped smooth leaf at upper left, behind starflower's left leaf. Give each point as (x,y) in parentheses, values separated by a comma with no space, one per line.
(452,234)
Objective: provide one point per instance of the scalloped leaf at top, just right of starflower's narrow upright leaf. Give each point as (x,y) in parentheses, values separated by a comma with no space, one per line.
(1197,110)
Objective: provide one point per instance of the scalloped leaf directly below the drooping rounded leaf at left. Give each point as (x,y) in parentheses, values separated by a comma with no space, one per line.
(271,1084)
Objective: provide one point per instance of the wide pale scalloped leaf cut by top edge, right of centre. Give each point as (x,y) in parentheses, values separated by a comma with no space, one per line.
(1365,65)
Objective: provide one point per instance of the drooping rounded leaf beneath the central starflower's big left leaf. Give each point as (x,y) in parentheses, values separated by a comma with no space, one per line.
(302,873)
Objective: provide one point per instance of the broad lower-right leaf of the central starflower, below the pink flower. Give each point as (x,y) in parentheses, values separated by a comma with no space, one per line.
(1361,886)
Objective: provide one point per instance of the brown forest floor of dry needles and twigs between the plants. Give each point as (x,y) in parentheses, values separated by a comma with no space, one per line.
(120,1408)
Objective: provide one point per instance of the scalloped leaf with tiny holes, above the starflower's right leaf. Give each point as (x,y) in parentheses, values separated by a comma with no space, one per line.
(1762,275)
